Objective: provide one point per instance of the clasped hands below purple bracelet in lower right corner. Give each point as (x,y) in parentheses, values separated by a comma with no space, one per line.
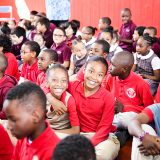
(150,145)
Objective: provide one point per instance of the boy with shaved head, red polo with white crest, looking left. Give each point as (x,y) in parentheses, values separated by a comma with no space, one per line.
(132,93)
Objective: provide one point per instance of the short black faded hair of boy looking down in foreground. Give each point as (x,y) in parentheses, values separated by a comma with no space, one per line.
(29,94)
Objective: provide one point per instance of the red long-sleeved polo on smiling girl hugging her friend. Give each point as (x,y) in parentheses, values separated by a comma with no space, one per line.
(95,112)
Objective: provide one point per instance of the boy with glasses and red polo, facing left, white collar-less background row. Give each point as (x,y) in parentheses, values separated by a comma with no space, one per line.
(29,52)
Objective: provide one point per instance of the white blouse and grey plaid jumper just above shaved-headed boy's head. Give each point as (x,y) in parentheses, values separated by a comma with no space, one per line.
(114,49)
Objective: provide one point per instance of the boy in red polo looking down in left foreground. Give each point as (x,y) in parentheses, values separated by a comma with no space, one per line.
(25,107)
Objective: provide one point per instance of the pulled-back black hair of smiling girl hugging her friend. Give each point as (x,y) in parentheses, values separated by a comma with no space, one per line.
(98,59)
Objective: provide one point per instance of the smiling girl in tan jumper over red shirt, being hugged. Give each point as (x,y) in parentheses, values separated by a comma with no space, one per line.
(57,80)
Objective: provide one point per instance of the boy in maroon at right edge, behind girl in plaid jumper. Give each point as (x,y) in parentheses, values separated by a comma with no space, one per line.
(152,31)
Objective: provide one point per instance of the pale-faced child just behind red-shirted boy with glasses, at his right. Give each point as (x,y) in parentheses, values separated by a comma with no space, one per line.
(41,40)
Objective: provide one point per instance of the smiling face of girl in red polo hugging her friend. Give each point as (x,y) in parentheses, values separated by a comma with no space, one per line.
(94,74)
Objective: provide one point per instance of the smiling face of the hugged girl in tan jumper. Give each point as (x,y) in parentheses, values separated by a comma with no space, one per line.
(57,82)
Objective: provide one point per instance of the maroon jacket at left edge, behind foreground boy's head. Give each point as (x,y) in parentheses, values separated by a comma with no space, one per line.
(6,83)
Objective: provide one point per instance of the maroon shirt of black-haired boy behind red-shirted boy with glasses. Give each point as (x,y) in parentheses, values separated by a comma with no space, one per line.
(16,49)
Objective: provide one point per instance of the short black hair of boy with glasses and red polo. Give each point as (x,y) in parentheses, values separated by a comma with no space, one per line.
(33,46)
